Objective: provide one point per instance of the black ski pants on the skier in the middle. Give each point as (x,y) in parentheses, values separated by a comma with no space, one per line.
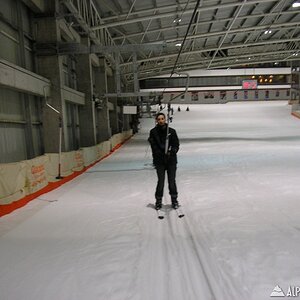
(161,171)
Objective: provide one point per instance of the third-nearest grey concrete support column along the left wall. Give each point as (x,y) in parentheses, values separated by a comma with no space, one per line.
(103,124)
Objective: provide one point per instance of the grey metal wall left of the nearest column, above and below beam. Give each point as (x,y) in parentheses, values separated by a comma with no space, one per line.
(20,114)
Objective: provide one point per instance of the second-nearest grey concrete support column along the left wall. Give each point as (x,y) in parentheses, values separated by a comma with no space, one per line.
(87,120)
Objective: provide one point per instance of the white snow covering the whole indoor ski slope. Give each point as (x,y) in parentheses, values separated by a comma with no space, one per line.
(238,182)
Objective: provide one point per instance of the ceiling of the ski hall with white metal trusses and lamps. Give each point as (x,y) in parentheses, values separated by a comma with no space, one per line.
(209,34)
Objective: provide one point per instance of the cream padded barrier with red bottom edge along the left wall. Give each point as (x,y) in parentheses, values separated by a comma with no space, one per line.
(23,181)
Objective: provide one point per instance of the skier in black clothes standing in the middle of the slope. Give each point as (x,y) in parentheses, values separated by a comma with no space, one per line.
(164,160)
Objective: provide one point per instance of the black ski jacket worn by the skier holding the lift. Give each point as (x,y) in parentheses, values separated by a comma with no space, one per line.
(157,140)
